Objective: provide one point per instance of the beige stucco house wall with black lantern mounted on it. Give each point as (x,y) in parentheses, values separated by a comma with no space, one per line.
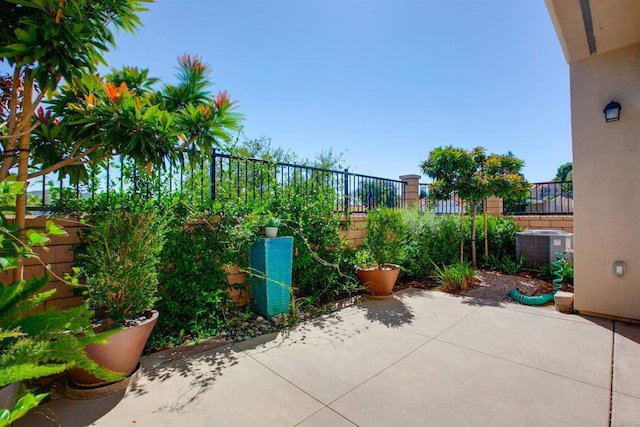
(606,159)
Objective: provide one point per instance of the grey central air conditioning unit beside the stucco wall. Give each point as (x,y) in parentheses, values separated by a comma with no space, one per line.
(539,247)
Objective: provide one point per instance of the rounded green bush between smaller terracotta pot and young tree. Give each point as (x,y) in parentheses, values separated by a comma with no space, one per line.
(430,239)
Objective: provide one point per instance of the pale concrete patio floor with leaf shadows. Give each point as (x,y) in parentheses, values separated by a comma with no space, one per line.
(421,358)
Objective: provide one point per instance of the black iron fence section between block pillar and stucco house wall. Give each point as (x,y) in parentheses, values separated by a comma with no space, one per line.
(545,198)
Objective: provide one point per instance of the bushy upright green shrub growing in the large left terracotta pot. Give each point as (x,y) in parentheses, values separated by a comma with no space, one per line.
(120,257)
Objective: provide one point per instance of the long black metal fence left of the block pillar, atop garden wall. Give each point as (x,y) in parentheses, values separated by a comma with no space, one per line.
(217,176)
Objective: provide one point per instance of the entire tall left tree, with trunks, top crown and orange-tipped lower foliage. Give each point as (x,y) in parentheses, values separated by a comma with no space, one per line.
(53,48)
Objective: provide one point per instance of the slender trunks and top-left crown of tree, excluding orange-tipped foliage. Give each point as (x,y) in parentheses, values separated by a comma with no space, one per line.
(45,42)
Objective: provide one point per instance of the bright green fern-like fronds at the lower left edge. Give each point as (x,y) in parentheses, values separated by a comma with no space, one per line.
(33,342)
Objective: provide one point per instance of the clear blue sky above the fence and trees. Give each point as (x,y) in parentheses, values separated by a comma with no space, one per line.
(383,81)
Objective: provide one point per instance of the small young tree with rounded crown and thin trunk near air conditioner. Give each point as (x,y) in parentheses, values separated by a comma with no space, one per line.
(473,176)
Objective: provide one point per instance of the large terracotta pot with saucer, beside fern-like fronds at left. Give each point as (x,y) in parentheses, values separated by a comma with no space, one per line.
(120,354)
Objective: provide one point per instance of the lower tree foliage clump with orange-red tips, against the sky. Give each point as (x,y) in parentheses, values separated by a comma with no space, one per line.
(123,114)
